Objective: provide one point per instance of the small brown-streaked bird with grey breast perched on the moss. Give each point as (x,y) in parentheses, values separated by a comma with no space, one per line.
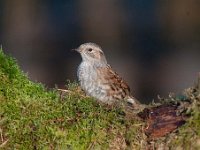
(97,78)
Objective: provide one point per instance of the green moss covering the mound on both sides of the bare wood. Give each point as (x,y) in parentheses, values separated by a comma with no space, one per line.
(34,117)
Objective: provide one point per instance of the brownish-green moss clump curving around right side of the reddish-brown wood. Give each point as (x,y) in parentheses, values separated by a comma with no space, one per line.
(188,135)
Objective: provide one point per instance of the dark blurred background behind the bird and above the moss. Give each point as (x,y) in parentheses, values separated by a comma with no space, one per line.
(154,45)
